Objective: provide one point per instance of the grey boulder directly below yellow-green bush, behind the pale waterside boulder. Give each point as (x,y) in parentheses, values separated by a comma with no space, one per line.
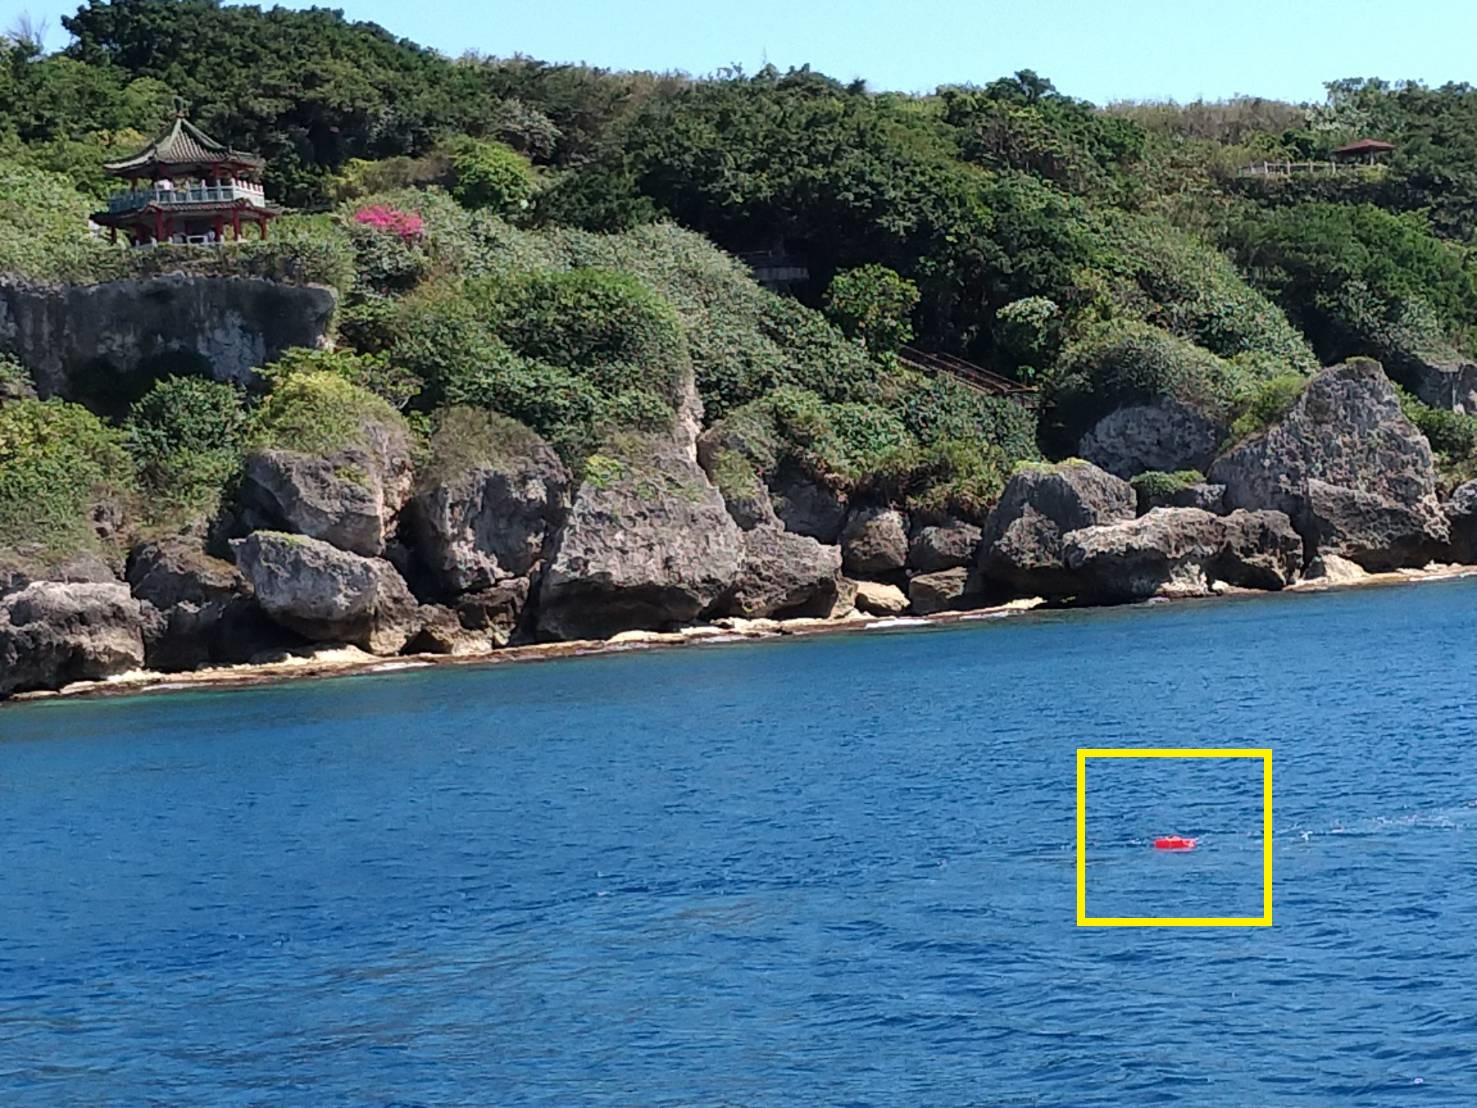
(349,499)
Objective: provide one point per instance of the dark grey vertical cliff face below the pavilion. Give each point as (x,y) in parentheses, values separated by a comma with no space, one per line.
(67,333)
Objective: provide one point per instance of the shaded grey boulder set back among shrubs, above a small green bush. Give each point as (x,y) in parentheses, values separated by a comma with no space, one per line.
(1163,435)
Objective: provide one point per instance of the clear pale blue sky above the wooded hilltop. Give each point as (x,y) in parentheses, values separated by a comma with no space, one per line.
(1100,51)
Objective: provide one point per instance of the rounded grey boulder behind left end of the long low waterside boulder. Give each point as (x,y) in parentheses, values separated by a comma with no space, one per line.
(1023,538)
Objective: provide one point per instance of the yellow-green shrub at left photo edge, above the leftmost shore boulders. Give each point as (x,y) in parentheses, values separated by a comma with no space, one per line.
(58,463)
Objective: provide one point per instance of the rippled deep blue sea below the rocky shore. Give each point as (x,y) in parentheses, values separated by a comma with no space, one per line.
(838,871)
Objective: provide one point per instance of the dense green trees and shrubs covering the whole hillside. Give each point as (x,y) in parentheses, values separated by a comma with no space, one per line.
(553,247)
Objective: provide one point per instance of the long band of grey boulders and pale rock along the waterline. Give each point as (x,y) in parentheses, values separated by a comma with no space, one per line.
(491,550)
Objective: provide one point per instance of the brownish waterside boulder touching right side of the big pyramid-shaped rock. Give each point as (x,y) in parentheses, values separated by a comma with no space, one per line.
(785,575)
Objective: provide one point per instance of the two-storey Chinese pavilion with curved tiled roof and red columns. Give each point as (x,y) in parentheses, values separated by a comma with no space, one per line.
(187,188)
